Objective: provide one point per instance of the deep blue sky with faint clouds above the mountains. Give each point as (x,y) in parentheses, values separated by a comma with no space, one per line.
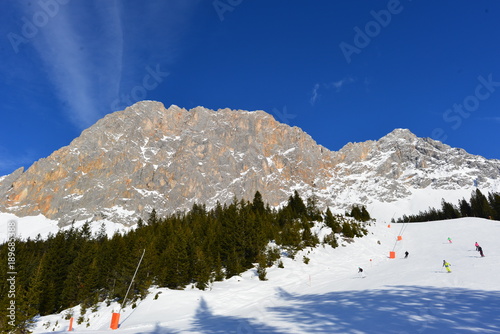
(343,71)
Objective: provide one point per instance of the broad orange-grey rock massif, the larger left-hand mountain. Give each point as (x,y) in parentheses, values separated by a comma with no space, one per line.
(149,157)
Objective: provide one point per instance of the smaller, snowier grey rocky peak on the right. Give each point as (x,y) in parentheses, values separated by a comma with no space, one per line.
(394,166)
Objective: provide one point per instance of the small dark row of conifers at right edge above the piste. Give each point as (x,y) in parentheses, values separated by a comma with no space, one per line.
(478,205)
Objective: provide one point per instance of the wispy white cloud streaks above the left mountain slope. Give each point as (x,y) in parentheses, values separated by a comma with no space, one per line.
(81,48)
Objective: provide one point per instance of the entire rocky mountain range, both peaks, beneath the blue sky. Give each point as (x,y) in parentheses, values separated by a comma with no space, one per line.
(147,156)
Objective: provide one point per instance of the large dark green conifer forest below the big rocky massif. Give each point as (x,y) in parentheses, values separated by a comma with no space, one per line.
(198,247)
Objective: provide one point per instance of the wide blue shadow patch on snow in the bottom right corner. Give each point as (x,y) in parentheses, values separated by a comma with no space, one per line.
(398,309)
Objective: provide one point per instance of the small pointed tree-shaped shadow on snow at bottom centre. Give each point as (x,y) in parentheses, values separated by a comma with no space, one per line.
(207,322)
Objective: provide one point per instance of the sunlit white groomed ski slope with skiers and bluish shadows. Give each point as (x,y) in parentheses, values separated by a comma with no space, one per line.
(328,295)
